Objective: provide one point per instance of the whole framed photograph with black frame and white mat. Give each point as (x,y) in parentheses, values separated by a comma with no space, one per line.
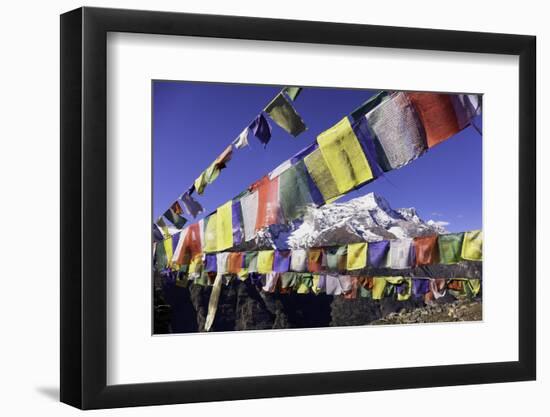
(258,208)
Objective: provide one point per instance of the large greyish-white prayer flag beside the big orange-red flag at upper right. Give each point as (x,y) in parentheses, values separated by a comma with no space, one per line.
(398,130)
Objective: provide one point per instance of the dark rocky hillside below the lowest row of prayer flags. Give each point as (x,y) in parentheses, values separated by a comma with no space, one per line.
(242,306)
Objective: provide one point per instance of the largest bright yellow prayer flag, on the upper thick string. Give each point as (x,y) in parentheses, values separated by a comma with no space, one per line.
(344,156)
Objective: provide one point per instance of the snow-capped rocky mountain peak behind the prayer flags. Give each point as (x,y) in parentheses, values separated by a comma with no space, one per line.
(367,218)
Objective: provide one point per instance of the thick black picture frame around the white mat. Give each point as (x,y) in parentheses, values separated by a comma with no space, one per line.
(84,207)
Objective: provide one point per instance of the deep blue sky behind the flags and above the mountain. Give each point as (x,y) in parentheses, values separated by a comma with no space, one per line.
(193,122)
